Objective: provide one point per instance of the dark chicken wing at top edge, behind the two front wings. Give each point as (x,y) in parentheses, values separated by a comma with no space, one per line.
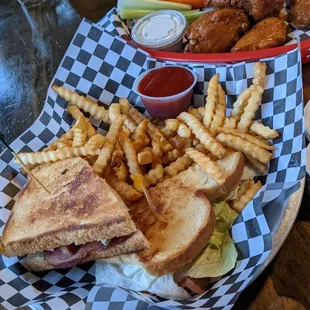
(259,9)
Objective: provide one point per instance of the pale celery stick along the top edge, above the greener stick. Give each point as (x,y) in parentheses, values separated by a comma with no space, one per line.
(152,5)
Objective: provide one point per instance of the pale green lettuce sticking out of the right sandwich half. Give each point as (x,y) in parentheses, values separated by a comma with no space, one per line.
(220,254)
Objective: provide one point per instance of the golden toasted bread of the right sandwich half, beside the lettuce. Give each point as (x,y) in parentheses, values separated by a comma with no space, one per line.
(186,217)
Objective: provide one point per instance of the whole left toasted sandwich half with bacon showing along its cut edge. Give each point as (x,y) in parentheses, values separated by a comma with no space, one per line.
(82,219)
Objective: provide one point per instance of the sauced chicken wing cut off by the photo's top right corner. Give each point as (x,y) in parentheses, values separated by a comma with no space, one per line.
(299,14)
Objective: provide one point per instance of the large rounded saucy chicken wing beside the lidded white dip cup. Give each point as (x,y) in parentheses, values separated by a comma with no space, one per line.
(216,31)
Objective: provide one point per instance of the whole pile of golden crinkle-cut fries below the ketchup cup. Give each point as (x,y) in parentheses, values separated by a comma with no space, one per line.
(138,151)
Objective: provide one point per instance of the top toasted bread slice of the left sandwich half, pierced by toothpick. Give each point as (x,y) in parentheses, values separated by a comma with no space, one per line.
(81,208)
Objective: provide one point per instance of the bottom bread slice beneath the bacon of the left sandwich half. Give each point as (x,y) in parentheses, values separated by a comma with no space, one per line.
(135,243)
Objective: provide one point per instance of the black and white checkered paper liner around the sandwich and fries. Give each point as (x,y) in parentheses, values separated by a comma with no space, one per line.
(104,67)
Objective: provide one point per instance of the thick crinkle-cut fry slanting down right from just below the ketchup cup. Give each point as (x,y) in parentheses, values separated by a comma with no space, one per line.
(202,134)
